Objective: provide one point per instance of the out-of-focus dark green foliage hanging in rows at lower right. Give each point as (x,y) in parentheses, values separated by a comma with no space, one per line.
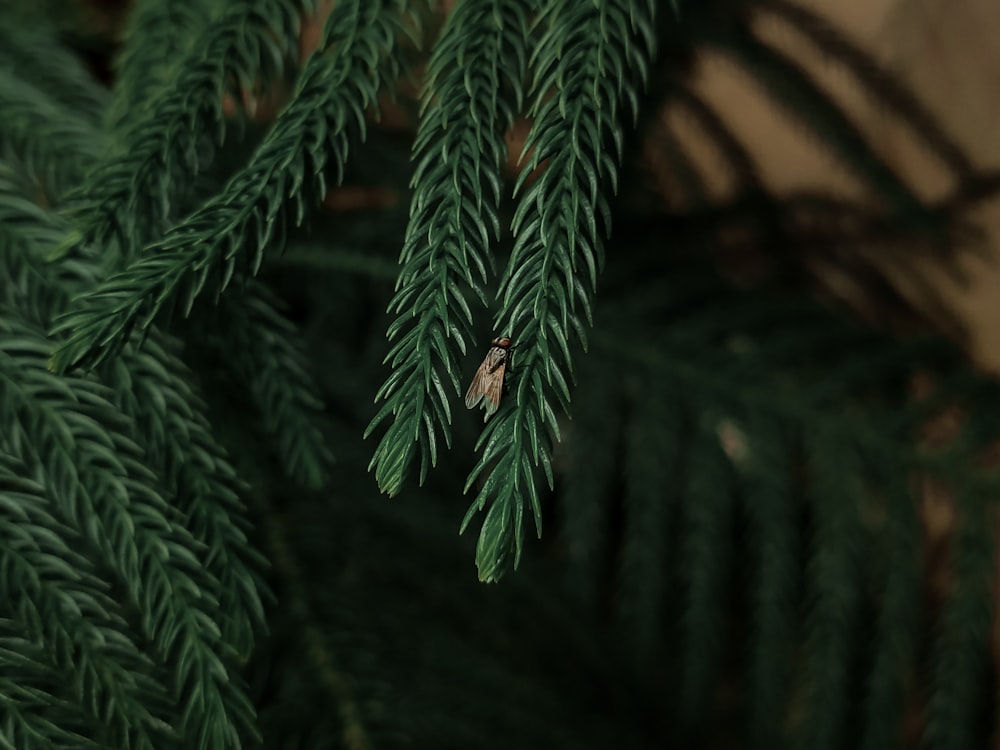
(730,412)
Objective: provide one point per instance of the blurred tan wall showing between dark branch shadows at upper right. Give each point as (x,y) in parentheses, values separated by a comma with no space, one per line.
(946,50)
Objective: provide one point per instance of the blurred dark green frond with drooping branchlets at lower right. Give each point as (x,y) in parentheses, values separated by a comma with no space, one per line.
(843,393)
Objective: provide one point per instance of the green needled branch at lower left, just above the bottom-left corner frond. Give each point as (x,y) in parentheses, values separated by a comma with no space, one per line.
(62,602)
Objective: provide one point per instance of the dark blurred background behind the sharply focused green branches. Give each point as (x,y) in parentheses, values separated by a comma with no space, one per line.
(773,521)
